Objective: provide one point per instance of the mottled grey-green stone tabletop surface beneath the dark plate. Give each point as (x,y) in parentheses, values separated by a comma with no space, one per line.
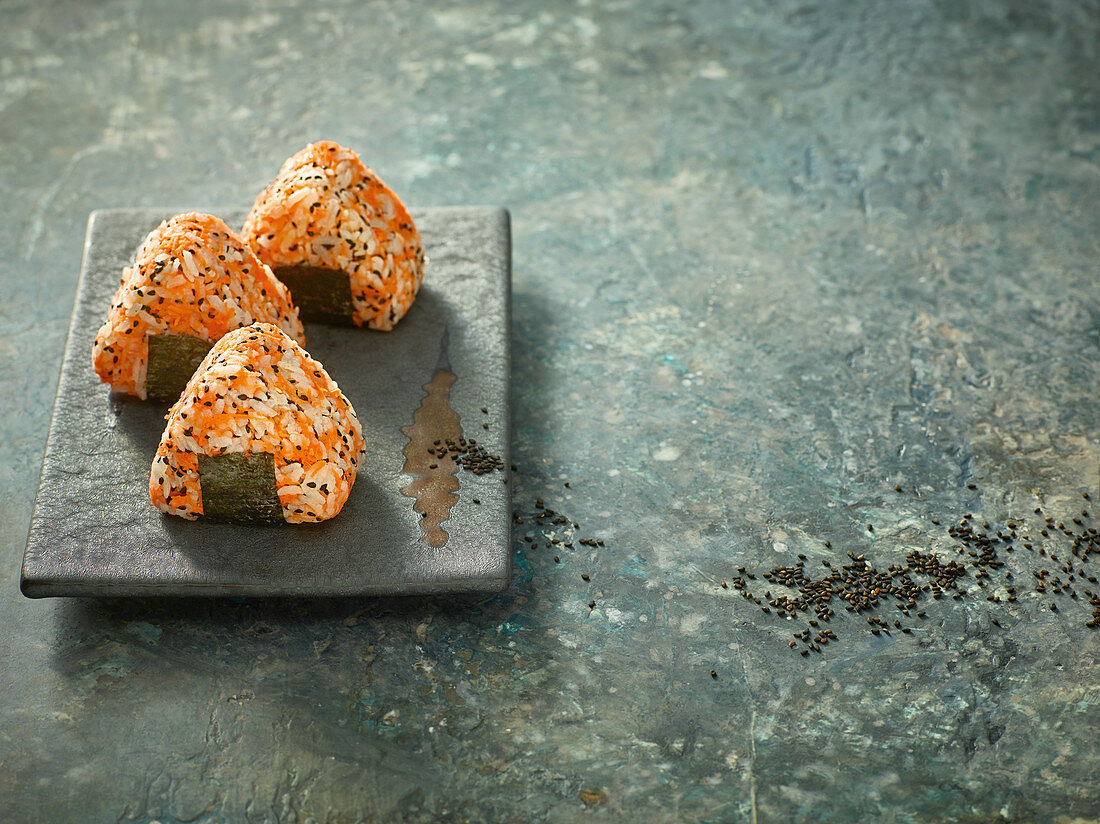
(772,259)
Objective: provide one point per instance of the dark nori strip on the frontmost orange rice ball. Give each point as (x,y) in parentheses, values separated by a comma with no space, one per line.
(240,487)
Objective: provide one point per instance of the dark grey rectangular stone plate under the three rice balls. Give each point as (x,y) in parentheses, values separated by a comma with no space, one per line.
(95,533)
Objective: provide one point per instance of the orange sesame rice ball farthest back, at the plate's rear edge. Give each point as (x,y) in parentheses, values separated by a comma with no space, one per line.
(339,238)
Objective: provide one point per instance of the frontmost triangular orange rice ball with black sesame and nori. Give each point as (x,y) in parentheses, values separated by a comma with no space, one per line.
(261,433)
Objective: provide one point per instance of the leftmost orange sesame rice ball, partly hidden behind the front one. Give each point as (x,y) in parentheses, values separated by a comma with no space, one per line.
(193,281)
